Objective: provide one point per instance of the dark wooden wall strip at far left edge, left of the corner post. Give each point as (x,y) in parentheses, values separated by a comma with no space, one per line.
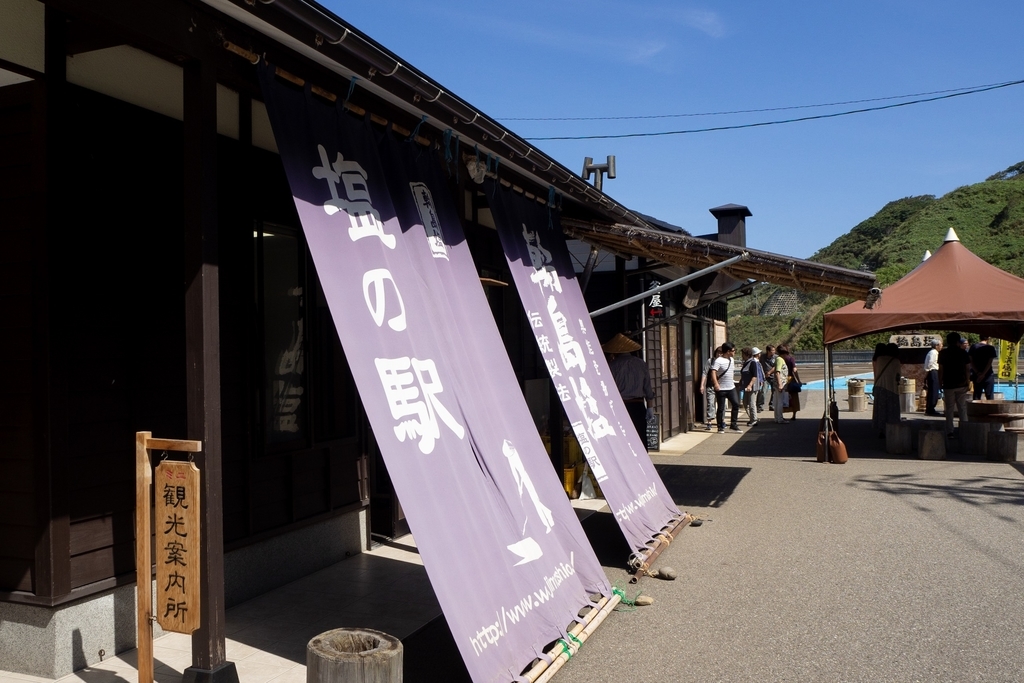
(19,220)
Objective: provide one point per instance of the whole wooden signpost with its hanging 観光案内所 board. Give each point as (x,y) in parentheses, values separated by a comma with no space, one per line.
(178,534)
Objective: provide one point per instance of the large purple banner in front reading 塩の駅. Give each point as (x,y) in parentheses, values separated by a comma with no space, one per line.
(503,548)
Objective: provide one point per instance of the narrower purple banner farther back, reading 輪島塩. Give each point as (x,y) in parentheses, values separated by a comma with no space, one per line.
(551,297)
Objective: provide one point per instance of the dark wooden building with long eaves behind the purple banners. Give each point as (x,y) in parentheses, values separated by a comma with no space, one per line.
(154,277)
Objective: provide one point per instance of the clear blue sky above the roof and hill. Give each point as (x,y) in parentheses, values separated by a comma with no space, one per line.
(806,184)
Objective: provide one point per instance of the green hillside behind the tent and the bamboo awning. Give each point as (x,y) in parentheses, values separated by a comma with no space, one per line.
(989,219)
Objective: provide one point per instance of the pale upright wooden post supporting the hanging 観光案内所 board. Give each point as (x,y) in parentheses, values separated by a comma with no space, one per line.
(144,558)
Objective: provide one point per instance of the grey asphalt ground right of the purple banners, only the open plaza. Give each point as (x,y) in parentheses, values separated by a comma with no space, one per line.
(881,570)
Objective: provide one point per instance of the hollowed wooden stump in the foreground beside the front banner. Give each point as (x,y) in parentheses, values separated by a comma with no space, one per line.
(354,656)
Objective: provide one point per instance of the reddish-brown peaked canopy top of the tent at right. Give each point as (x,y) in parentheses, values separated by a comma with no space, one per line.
(954,289)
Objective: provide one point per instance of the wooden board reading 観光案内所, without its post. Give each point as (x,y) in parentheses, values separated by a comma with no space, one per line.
(177,524)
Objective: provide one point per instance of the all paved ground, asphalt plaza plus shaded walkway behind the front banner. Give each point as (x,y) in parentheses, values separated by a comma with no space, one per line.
(886,569)
